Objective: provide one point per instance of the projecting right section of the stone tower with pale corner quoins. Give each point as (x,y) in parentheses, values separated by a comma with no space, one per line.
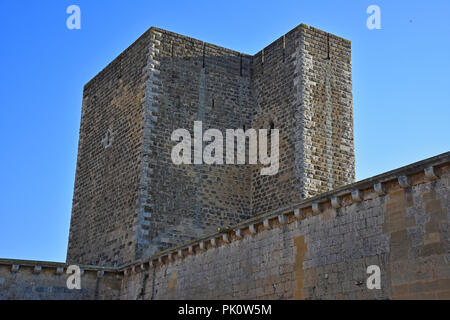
(302,85)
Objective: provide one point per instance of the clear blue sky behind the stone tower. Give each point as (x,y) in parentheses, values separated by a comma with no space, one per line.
(400,86)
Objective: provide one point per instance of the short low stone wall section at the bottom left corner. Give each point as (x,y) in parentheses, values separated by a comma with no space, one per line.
(34,280)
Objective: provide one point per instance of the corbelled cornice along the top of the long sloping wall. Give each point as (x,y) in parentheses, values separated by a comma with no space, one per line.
(325,204)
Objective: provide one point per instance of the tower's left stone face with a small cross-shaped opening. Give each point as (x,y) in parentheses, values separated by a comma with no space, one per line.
(103,228)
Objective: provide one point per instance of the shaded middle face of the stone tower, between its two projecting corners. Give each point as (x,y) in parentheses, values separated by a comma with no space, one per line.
(195,81)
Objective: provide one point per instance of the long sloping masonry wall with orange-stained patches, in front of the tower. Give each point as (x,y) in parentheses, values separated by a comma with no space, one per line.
(398,221)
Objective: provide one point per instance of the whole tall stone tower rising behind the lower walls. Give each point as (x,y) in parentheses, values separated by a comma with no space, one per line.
(131,201)
